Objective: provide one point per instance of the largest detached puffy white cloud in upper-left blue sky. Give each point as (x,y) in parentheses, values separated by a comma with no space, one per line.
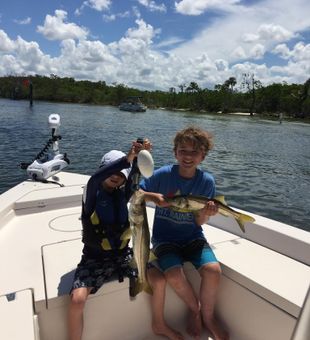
(55,28)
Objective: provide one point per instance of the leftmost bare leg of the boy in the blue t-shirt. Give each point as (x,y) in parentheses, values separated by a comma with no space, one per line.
(158,284)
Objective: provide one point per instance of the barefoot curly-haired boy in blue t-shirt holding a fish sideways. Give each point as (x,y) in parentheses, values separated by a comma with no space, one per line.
(178,237)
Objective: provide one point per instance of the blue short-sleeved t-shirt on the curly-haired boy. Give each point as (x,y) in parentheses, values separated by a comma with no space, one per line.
(169,225)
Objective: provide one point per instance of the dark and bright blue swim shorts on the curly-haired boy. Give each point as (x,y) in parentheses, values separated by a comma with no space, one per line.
(172,254)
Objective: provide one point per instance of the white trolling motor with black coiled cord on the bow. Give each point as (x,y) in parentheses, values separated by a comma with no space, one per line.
(46,164)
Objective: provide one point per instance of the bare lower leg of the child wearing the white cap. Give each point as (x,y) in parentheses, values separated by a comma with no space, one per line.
(75,313)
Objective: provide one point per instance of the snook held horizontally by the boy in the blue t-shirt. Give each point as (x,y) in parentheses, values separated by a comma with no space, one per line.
(191,203)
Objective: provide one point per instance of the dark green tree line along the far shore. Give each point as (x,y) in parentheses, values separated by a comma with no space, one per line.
(290,100)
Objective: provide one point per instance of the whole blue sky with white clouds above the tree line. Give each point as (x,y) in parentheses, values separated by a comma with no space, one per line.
(157,44)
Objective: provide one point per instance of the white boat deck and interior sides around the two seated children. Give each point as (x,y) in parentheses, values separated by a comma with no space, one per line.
(265,275)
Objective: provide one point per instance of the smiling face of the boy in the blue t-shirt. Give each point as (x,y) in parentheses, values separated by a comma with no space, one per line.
(188,156)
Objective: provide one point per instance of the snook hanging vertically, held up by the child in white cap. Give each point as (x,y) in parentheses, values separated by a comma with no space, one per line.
(141,241)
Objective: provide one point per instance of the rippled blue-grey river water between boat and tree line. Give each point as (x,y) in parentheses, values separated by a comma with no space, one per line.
(259,165)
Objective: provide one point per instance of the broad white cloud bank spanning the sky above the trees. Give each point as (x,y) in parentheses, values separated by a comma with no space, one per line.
(227,47)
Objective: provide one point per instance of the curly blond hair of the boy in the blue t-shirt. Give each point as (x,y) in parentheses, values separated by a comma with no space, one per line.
(199,138)
